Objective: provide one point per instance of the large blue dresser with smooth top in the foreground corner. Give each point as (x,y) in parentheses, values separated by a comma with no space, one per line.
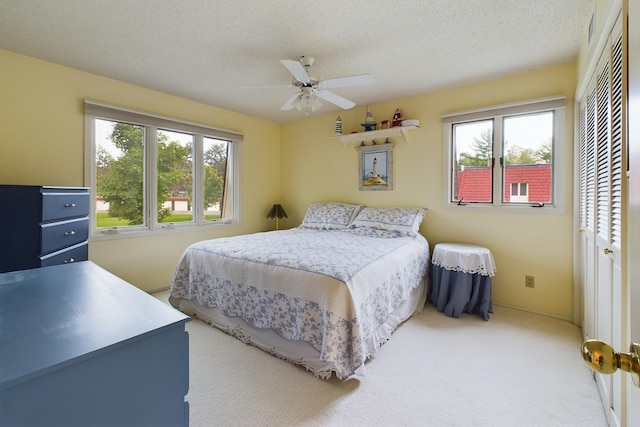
(81,347)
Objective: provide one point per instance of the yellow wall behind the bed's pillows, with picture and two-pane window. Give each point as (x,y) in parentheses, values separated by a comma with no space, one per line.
(318,168)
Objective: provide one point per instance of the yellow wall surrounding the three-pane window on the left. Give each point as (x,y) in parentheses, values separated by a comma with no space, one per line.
(42,143)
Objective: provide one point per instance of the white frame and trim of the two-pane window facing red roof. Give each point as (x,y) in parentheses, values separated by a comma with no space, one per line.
(556,104)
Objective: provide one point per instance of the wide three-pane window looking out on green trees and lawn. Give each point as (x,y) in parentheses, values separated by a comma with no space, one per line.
(153,174)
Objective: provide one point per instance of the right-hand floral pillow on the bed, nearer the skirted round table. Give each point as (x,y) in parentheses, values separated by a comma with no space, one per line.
(406,221)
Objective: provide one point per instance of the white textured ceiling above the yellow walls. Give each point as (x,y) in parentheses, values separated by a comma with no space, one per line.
(203,49)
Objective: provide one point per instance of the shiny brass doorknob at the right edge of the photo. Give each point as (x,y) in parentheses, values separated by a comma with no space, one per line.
(601,357)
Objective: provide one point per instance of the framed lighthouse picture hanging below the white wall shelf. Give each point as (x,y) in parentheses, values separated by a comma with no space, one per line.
(376,167)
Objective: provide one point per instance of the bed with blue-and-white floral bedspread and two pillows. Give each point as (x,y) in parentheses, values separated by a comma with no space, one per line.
(325,295)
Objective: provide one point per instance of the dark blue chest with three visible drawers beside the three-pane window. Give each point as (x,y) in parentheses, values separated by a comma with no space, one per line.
(43,226)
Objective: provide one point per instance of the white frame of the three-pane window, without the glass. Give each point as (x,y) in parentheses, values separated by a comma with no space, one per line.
(152,125)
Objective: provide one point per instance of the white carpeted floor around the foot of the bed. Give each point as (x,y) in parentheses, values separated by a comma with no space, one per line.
(517,369)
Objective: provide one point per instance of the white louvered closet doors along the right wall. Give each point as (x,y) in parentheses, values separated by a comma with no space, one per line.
(601,207)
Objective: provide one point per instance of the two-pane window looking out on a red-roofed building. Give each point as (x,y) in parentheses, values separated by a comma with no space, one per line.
(504,156)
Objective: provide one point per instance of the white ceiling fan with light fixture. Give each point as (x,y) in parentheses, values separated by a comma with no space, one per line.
(310,88)
